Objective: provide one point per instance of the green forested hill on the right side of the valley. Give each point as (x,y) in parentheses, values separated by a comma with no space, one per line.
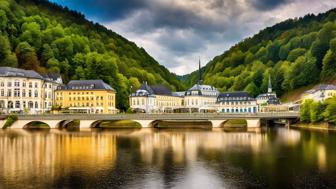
(295,53)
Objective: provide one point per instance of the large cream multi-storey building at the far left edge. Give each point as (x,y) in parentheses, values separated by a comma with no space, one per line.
(26,91)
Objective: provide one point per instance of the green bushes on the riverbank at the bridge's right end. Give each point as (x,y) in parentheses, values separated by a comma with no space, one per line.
(319,114)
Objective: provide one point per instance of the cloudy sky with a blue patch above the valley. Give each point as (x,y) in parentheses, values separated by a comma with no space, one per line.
(177,32)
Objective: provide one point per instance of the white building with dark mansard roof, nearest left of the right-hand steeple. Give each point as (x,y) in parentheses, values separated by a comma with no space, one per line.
(236,102)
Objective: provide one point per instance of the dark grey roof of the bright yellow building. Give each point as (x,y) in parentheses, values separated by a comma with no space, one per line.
(87,84)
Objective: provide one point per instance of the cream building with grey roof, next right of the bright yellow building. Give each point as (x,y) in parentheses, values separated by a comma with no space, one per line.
(154,99)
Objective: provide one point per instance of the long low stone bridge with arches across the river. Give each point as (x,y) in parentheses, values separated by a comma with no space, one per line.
(147,120)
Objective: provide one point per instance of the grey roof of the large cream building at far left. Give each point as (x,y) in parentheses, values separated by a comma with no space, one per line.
(16,72)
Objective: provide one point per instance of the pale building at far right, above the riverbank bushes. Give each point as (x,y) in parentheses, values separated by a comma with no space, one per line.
(320,93)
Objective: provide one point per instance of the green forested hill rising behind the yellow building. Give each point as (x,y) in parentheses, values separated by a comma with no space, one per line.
(39,35)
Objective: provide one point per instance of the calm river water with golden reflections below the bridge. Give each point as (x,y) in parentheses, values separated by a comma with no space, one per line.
(148,158)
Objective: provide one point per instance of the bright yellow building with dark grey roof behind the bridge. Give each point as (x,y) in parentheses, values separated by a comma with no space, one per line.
(86,96)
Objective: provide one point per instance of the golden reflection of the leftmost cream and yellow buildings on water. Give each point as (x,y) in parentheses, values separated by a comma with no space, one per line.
(24,154)
